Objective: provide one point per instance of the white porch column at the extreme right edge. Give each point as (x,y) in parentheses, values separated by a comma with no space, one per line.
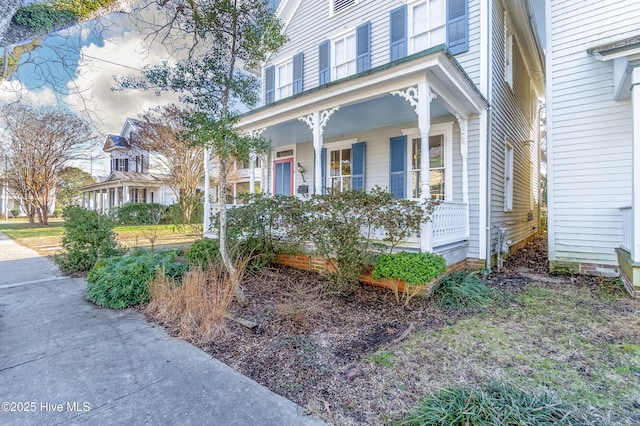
(635,202)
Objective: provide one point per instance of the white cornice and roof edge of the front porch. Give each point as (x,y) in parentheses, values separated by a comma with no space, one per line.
(457,94)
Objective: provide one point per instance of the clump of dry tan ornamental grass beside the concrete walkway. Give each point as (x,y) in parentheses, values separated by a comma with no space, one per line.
(194,310)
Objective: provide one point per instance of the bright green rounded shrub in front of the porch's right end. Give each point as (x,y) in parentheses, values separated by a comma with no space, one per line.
(412,268)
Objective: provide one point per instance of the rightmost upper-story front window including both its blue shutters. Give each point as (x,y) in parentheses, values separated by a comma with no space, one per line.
(421,24)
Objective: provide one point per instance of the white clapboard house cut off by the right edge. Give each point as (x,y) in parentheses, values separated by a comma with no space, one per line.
(593,137)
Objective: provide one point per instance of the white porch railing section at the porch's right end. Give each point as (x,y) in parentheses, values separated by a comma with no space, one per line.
(449,223)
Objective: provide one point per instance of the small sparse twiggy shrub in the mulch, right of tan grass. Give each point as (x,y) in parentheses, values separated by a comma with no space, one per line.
(304,300)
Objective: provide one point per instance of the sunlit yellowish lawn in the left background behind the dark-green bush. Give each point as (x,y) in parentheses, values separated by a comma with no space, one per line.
(47,240)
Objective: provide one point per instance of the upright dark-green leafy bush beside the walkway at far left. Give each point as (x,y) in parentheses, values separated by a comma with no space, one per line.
(88,236)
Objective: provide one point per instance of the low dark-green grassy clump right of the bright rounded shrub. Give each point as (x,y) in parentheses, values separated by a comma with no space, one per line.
(462,290)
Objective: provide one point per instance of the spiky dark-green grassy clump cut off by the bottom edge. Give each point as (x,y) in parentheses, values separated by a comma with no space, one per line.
(493,404)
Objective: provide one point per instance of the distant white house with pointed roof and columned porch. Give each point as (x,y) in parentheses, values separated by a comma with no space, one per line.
(132,178)
